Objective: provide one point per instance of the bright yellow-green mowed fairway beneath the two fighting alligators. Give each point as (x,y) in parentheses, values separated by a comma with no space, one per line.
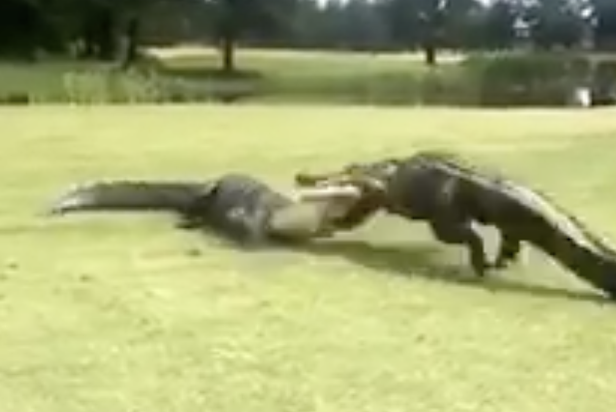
(123,313)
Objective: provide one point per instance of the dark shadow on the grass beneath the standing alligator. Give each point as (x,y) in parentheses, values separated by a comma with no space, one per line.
(426,262)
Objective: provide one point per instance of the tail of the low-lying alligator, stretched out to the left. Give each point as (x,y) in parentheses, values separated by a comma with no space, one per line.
(177,197)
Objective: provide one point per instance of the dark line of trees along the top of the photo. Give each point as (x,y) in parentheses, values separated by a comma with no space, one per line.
(106,29)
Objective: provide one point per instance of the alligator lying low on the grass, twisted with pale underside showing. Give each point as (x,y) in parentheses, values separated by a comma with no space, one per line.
(237,206)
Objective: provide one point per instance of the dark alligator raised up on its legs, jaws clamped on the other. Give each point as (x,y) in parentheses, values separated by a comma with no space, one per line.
(452,195)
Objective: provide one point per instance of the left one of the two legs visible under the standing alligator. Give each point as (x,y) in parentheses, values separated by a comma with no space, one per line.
(461,232)
